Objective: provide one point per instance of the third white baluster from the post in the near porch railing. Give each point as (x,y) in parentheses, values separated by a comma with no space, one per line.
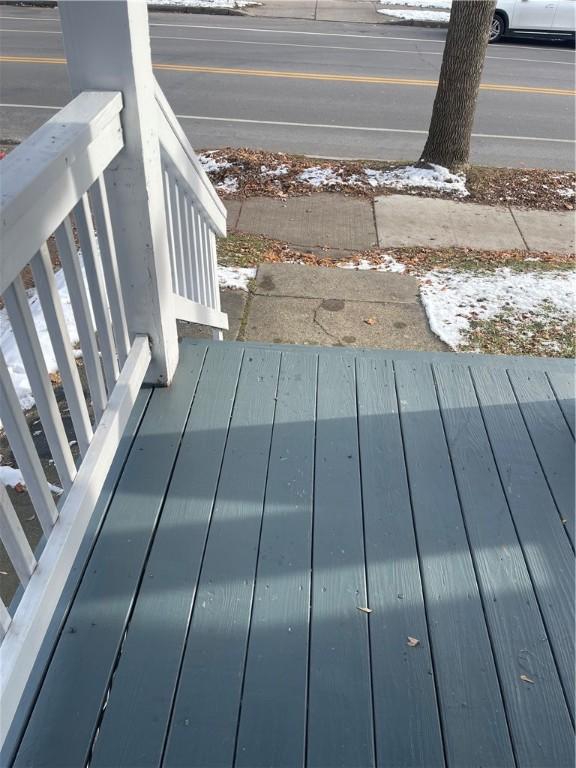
(82,316)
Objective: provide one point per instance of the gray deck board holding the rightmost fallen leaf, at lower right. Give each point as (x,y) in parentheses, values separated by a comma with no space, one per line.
(539,719)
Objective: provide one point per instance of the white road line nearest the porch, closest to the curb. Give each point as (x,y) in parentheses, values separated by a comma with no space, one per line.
(323,126)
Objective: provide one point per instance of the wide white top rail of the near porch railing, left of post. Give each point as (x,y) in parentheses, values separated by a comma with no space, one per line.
(48,173)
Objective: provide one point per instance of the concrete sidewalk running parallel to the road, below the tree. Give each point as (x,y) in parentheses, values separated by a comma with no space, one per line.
(345,224)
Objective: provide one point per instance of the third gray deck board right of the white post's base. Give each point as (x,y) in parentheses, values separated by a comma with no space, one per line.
(208,699)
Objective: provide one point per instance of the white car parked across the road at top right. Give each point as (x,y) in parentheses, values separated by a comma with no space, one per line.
(533,16)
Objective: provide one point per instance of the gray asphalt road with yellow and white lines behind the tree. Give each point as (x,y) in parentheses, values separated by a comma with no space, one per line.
(324,89)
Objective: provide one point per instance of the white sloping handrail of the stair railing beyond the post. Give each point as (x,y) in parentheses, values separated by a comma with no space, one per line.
(195,175)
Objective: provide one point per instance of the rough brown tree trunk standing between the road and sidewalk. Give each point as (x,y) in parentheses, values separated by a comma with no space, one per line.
(448,142)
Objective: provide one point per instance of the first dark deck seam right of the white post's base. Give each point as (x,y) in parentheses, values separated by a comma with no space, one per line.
(134,601)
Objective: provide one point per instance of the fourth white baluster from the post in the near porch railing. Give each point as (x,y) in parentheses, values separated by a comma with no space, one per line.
(62,346)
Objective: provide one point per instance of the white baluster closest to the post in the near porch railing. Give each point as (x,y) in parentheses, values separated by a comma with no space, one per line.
(99,198)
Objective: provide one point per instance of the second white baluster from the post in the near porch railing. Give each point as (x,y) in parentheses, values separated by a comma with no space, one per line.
(95,279)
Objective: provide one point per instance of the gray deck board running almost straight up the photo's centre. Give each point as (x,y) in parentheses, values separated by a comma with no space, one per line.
(340,680)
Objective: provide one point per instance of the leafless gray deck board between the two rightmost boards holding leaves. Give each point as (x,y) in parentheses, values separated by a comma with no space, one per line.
(475,728)
